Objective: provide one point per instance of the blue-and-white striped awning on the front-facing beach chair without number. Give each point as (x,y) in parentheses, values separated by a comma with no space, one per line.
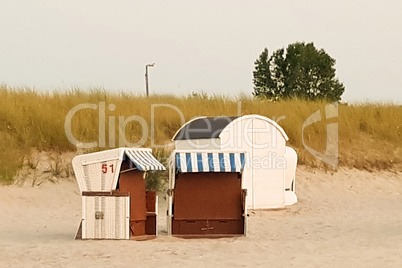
(209,162)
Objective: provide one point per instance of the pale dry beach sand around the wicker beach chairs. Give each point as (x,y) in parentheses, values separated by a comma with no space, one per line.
(347,219)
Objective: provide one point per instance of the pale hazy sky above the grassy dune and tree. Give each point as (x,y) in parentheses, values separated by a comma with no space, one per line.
(197,46)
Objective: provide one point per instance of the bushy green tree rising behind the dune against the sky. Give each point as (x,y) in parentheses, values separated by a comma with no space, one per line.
(304,72)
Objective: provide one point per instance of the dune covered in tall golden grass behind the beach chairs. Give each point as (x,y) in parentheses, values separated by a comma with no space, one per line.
(369,134)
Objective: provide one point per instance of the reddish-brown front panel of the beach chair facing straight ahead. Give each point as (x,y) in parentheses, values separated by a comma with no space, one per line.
(208,203)
